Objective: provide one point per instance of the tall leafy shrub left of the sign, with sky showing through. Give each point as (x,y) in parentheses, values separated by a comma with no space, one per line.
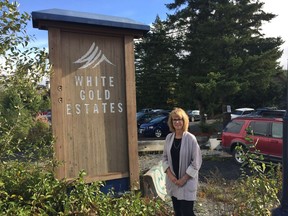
(21,98)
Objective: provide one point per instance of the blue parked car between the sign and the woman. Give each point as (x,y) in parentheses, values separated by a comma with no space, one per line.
(157,127)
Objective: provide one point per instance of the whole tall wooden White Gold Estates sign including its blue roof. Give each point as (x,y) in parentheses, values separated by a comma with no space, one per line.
(93,94)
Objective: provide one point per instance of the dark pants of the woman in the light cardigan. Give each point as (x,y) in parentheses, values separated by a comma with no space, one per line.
(183,207)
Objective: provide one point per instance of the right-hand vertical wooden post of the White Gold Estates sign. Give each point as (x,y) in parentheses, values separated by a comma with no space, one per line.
(131,113)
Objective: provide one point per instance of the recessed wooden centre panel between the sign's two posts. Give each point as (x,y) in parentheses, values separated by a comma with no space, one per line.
(88,134)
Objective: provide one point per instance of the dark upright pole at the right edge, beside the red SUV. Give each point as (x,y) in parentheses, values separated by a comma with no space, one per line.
(282,210)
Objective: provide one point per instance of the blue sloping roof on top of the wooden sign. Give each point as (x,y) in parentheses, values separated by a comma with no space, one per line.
(59,15)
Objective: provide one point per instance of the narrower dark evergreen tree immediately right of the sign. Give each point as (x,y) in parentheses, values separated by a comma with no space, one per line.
(156,71)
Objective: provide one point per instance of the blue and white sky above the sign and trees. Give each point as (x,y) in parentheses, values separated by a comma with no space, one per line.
(145,11)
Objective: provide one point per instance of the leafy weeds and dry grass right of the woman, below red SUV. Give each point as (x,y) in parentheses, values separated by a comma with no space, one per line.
(256,192)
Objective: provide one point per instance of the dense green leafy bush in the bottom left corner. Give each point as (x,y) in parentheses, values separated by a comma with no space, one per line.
(27,187)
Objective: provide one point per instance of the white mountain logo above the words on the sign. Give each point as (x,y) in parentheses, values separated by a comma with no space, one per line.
(93,56)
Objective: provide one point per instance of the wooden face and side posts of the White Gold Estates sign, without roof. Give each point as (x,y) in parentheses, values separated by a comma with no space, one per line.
(84,141)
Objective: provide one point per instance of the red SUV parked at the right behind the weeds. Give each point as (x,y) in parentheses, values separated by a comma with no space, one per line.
(265,133)
